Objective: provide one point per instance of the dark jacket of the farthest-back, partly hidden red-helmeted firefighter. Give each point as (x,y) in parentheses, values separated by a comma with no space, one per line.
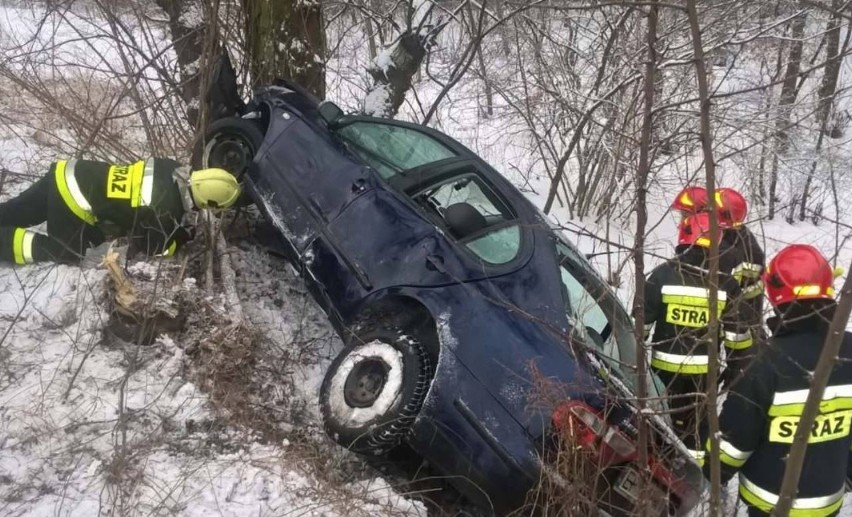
(745,260)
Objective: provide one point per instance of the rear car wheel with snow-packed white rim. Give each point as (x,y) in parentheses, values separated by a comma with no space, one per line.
(374,390)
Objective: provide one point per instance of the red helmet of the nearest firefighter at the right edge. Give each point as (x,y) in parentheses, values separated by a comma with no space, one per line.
(798,272)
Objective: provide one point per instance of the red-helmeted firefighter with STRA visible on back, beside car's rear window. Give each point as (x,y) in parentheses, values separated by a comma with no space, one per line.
(677,307)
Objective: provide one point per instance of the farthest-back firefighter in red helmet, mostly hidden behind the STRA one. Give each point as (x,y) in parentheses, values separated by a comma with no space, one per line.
(743,257)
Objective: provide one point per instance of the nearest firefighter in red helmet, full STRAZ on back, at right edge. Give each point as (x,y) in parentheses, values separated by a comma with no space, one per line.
(760,415)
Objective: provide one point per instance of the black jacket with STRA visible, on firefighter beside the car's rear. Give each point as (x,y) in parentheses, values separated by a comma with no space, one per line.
(677,306)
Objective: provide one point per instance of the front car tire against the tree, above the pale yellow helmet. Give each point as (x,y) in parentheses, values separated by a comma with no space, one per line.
(230,143)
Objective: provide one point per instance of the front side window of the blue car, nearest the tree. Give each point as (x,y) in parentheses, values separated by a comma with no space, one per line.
(391,149)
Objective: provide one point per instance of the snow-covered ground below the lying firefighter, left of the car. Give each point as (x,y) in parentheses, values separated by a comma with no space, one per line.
(92,424)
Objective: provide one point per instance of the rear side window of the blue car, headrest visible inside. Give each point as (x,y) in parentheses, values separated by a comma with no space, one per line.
(469,211)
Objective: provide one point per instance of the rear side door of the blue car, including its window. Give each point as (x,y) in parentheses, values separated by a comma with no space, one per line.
(397,234)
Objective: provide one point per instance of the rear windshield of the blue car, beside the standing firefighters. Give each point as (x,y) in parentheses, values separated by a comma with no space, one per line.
(598,317)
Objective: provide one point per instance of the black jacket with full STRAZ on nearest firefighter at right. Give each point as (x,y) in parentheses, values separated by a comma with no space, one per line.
(759,418)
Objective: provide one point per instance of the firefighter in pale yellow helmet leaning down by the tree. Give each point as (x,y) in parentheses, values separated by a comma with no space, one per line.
(86,202)
